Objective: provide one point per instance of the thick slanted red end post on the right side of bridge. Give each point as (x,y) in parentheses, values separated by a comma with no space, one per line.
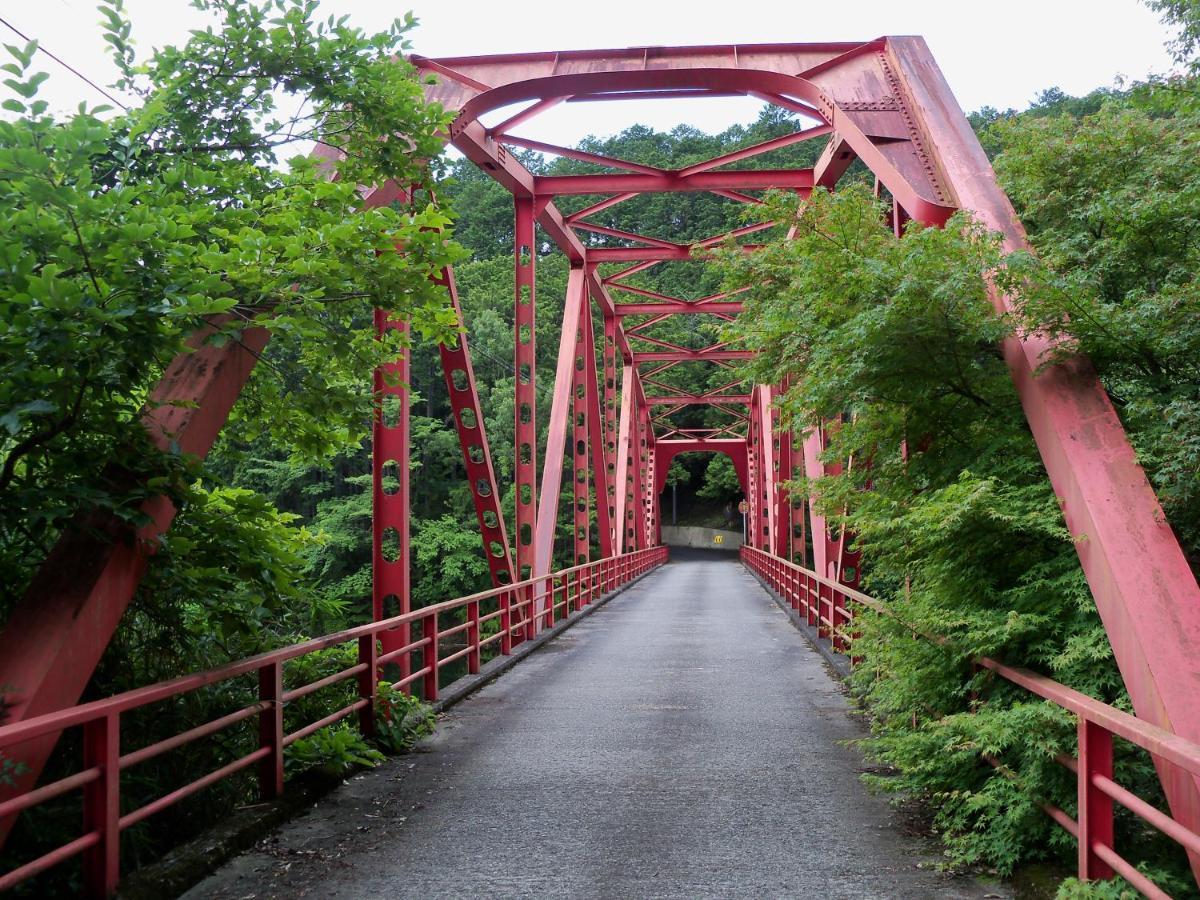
(1144,587)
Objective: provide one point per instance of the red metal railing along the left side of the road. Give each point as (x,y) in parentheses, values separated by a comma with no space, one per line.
(521,610)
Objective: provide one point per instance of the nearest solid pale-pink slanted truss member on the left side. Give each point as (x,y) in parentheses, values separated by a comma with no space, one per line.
(560,417)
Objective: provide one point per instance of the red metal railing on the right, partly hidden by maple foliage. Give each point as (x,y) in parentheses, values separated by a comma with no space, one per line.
(829,607)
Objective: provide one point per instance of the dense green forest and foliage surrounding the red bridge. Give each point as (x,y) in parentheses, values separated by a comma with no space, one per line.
(124,232)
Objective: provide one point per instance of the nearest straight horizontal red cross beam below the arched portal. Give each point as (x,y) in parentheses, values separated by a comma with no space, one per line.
(641,182)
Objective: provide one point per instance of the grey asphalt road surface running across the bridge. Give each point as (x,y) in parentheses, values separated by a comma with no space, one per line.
(683,742)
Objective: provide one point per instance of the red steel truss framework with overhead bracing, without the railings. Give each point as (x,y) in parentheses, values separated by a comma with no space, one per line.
(615,416)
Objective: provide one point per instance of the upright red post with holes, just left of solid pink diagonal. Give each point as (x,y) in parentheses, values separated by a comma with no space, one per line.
(526,388)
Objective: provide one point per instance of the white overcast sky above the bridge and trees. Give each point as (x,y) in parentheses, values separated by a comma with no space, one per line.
(997,53)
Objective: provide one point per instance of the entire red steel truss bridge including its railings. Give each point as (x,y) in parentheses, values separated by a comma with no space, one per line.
(614,430)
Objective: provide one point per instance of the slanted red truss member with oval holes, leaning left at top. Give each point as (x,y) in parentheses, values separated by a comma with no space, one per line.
(477,455)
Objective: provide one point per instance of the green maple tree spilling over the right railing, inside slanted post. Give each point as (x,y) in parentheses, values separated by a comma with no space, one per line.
(963,538)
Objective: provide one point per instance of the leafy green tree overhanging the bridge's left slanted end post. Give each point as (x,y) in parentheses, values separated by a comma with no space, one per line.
(125,235)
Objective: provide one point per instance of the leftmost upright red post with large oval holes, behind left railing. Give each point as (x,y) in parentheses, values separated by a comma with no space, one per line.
(391,483)
